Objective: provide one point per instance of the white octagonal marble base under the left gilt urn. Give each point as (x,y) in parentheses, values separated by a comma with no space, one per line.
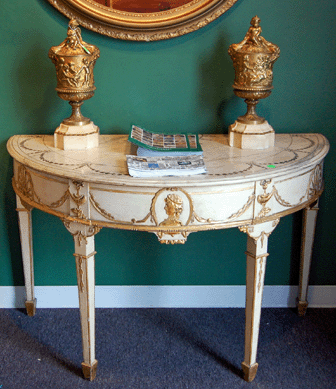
(68,137)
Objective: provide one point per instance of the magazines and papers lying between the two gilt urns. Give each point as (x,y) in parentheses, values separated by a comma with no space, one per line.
(165,154)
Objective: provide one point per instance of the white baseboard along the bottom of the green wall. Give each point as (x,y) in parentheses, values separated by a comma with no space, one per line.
(167,296)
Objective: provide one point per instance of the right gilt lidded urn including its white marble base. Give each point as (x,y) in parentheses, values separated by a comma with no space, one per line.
(253,60)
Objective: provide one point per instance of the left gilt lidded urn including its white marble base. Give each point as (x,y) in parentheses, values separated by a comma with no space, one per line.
(74,60)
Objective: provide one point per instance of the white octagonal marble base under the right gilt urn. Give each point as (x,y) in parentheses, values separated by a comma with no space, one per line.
(251,136)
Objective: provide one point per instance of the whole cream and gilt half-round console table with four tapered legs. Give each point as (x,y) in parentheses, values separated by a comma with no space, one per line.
(248,189)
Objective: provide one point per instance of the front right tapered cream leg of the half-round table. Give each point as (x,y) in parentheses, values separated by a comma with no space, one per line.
(256,255)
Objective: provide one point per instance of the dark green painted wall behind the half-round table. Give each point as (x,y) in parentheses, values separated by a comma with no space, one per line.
(183,84)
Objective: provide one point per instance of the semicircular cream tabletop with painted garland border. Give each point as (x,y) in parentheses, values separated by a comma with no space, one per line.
(225,164)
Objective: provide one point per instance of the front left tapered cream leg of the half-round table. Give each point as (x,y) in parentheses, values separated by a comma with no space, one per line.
(84,253)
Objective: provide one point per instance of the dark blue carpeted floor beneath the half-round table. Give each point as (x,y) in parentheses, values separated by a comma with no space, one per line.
(167,349)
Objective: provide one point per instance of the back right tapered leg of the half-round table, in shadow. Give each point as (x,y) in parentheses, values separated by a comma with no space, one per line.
(308,233)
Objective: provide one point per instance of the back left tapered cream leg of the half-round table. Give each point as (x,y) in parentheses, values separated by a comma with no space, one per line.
(25,227)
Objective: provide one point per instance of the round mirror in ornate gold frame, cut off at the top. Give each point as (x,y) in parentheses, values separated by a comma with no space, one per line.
(171,18)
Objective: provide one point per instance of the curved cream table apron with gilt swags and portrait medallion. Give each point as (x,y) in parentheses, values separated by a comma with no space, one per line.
(191,209)
